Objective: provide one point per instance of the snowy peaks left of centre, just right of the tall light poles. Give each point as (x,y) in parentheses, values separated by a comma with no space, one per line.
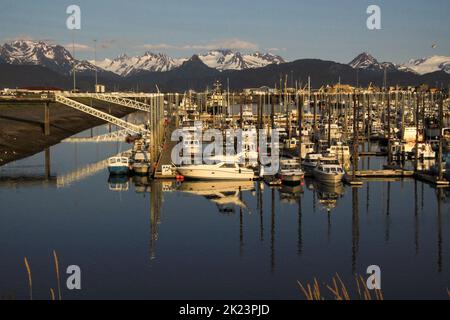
(125,65)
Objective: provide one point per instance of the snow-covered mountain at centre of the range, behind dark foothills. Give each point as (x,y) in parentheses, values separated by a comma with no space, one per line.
(229,60)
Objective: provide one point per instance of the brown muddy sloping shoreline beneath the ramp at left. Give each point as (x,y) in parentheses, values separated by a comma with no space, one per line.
(22,126)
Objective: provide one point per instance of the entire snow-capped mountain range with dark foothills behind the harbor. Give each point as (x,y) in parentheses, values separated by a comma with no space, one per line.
(50,64)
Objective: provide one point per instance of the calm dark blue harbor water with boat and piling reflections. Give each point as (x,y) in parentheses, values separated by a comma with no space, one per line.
(162,240)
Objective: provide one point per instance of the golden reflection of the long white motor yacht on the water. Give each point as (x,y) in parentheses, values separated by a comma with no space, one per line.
(222,193)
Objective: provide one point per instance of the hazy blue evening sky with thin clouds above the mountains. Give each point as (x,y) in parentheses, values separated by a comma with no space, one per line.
(295,29)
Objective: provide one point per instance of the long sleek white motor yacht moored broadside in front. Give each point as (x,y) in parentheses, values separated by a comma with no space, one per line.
(219,171)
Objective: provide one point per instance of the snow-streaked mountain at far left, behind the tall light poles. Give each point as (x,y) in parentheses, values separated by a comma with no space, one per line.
(52,56)
